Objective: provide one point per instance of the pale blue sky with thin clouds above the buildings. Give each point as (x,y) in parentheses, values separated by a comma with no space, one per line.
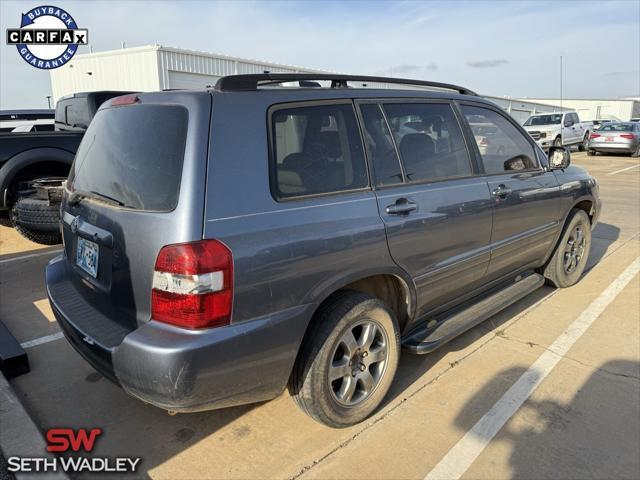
(496,48)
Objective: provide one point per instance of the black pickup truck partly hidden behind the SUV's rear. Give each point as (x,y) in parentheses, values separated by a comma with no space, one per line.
(34,165)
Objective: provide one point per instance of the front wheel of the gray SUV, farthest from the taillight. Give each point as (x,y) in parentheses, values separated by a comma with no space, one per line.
(569,259)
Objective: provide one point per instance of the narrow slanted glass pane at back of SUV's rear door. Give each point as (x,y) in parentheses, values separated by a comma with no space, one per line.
(382,152)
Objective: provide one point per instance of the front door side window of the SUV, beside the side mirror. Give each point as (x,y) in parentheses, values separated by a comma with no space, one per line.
(502,147)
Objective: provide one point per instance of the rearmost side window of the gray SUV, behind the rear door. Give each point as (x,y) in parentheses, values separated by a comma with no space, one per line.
(317,149)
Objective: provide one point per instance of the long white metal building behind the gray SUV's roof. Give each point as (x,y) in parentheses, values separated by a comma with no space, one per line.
(155,67)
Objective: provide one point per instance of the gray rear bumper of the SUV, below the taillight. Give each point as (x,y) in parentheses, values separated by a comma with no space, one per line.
(186,371)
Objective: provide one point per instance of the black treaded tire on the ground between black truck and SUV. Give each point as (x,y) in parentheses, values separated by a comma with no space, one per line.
(37,220)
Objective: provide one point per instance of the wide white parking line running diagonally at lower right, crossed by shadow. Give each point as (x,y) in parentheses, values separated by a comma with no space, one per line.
(458,460)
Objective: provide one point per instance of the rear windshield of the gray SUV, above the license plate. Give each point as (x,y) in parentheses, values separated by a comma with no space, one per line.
(134,155)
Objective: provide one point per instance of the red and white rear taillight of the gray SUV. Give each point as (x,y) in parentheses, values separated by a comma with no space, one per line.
(193,285)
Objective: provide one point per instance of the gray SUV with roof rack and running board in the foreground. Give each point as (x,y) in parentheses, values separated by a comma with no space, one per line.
(221,245)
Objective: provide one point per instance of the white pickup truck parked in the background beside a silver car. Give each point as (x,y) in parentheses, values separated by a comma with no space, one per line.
(559,129)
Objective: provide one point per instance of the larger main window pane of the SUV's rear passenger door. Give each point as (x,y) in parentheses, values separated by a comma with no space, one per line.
(429,140)
